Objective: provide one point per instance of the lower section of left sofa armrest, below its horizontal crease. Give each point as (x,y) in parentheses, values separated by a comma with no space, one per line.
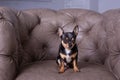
(7,68)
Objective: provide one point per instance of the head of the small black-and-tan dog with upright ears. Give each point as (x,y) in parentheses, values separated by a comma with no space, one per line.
(68,39)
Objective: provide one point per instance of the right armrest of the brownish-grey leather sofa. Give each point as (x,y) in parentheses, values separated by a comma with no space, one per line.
(113,40)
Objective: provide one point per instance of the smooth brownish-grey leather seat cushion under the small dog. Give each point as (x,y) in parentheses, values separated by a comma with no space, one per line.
(48,70)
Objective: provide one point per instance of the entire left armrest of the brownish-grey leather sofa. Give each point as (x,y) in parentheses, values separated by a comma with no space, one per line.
(8,46)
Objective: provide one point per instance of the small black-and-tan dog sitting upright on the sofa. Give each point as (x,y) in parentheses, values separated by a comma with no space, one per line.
(68,51)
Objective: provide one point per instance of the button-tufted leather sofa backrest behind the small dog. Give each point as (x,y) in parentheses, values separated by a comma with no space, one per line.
(37,31)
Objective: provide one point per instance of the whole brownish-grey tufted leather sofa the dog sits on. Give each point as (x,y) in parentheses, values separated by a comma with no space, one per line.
(29,44)
